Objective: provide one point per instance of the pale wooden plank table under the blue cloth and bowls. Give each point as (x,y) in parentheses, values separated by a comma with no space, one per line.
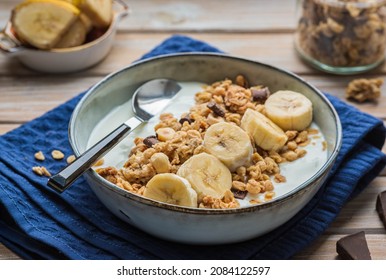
(256,29)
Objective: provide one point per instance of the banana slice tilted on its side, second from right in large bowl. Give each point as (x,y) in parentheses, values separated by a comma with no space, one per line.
(264,132)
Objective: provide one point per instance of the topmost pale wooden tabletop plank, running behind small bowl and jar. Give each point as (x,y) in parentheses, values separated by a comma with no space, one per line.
(199,15)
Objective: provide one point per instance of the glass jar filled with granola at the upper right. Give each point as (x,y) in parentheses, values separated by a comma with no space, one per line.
(341,36)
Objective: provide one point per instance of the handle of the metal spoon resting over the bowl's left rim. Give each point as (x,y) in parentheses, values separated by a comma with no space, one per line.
(61,181)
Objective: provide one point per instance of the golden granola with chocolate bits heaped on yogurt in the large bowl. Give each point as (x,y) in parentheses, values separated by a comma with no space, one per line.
(177,139)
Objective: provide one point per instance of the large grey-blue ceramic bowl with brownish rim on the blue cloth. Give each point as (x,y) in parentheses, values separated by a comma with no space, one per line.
(195,225)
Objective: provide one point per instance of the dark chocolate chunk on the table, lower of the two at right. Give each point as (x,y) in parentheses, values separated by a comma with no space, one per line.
(353,247)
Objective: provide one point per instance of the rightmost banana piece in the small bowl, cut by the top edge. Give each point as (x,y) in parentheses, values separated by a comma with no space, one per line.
(99,11)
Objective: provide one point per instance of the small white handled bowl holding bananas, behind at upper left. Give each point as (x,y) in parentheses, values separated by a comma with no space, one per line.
(64,60)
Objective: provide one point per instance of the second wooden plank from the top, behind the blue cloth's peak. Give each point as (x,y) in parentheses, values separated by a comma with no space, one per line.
(275,49)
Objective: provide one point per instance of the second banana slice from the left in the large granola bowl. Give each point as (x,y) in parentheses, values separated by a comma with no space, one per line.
(207,175)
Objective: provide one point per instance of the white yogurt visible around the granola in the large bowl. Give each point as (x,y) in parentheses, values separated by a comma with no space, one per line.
(296,172)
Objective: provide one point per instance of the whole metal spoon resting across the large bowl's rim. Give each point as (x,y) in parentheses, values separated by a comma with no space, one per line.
(148,100)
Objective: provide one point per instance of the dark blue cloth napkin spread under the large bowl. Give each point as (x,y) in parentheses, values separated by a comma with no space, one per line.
(38,223)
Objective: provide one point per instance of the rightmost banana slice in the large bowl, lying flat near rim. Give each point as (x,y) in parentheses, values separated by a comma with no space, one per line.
(289,109)
